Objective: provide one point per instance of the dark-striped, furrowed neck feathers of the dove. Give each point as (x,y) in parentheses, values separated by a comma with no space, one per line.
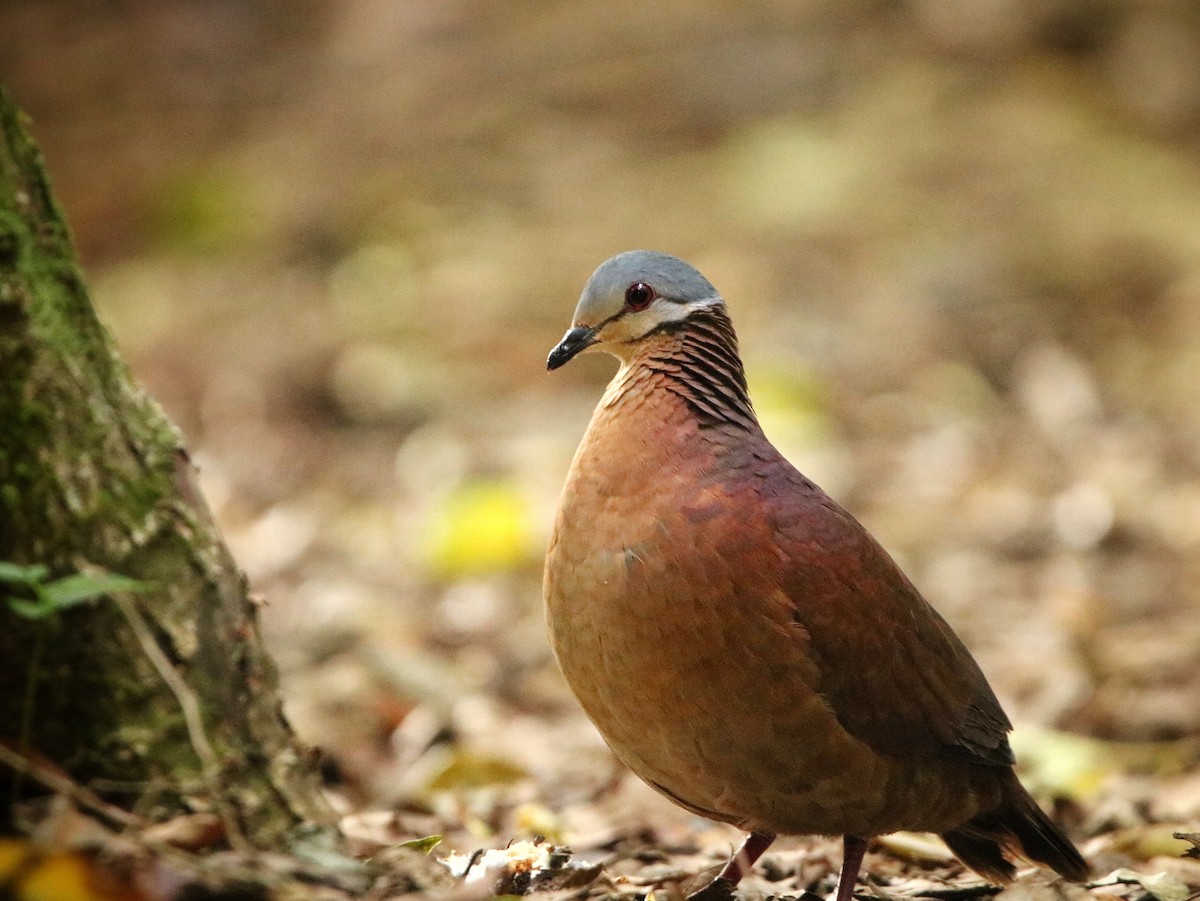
(701,365)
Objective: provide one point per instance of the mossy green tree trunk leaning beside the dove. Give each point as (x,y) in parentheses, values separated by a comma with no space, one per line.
(167,688)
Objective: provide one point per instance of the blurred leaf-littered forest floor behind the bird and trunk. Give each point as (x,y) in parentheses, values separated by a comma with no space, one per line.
(963,251)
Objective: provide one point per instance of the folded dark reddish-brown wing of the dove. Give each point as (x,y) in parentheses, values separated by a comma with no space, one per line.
(896,675)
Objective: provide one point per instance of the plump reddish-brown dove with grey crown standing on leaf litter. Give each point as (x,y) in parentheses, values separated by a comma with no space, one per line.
(739,639)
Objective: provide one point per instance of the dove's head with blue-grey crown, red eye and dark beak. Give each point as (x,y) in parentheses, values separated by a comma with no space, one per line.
(631,297)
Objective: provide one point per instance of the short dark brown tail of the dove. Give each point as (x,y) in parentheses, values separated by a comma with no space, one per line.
(1018,826)
